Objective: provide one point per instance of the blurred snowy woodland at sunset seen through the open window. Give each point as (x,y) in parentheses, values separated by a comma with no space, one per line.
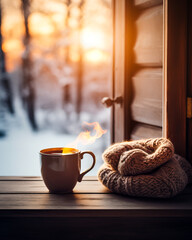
(55,68)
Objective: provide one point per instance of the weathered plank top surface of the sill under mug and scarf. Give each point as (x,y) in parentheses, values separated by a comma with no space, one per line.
(19,194)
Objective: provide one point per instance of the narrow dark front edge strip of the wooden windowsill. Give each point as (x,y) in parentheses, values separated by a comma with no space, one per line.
(94,213)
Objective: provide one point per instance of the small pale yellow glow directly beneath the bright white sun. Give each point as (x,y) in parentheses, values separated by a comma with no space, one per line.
(96,56)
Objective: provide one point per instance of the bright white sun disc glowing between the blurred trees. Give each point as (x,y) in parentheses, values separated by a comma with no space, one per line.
(92,38)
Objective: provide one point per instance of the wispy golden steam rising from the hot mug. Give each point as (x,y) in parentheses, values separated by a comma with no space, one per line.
(88,137)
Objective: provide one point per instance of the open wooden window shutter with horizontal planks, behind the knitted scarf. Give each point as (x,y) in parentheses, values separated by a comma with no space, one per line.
(138,48)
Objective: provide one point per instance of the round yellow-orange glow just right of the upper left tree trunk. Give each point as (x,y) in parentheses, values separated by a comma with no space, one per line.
(40,24)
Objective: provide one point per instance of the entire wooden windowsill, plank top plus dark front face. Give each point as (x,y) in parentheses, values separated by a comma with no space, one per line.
(25,201)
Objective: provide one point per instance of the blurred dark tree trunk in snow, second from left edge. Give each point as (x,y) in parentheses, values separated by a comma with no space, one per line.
(28,89)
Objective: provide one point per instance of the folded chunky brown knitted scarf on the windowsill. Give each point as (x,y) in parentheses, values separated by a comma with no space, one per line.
(145,168)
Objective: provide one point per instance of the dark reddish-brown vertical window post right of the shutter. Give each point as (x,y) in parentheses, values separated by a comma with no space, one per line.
(175,72)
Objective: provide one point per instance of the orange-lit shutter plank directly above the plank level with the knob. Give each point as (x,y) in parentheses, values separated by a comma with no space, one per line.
(148,47)
